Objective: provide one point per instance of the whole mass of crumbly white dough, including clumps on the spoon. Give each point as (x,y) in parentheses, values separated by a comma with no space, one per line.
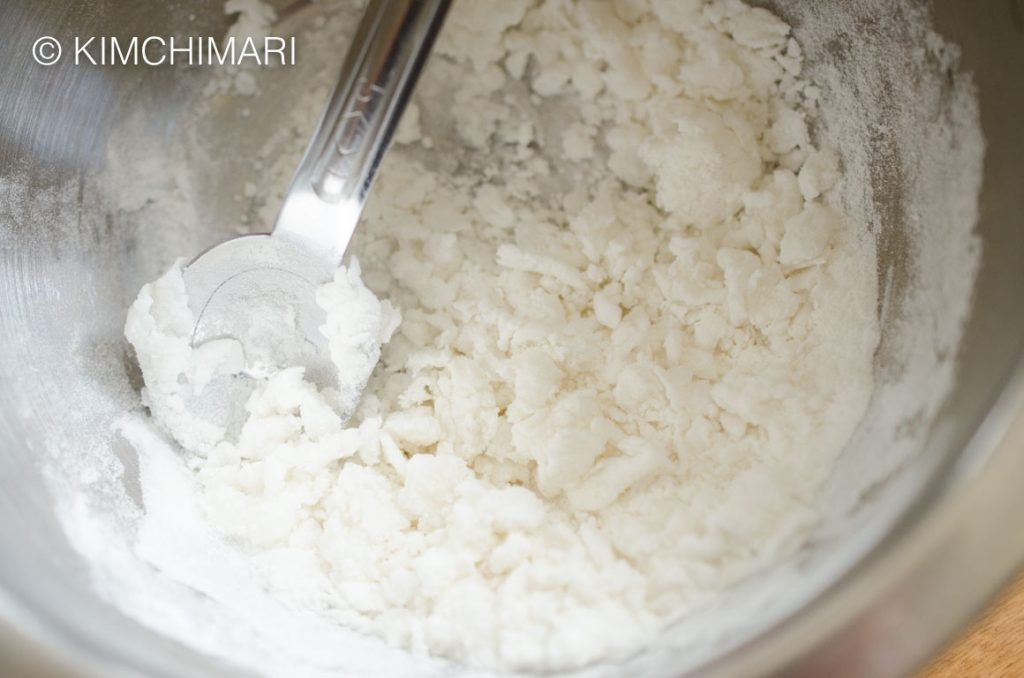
(629,352)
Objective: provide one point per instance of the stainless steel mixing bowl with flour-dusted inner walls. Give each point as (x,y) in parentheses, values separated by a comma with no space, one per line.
(922,548)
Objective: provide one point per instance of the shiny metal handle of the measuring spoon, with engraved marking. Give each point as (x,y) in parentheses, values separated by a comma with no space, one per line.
(331,186)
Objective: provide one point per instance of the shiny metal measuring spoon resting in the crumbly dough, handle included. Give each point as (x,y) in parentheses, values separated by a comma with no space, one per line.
(279,273)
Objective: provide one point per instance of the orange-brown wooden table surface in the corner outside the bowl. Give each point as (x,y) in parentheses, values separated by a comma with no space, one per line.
(994,648)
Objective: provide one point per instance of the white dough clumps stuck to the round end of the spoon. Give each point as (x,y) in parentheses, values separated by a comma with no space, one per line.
(160,327)
